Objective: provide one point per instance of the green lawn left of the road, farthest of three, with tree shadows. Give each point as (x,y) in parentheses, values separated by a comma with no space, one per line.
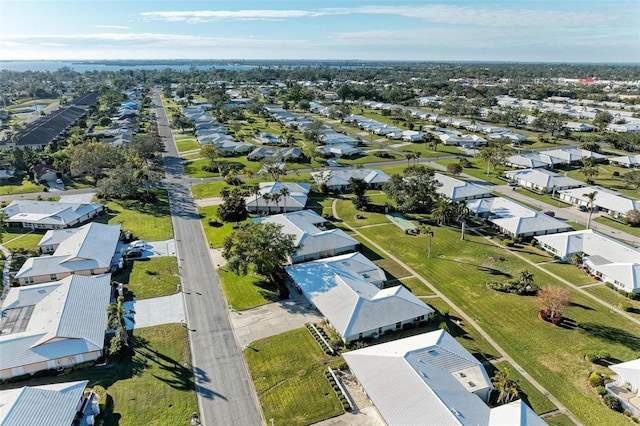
(147,221)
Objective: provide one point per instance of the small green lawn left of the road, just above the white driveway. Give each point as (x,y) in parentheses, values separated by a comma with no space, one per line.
(152,277)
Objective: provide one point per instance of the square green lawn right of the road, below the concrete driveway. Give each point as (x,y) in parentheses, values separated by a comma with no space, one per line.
(288,373)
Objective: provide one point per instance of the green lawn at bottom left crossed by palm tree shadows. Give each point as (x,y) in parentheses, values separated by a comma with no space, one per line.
(153,387)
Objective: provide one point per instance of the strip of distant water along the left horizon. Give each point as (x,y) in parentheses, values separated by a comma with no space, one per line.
(81,66)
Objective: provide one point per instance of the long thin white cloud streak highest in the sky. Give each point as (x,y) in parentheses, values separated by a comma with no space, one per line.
(435,13)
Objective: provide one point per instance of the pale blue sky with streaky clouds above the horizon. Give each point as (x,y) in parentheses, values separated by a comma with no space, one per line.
(592,31)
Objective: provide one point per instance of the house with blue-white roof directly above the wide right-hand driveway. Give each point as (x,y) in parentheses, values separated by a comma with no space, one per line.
(348,291)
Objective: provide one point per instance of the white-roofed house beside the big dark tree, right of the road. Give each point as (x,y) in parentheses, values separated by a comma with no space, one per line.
(312,238)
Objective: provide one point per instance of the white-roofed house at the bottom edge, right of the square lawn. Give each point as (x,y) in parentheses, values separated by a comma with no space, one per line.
(431,379)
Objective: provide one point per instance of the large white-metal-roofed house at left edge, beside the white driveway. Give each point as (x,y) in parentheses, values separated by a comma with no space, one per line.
(54,325)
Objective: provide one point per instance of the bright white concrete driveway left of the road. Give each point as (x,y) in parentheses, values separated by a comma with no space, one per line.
(155,311)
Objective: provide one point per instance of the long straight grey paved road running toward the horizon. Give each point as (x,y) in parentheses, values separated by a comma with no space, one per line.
(225,393)
